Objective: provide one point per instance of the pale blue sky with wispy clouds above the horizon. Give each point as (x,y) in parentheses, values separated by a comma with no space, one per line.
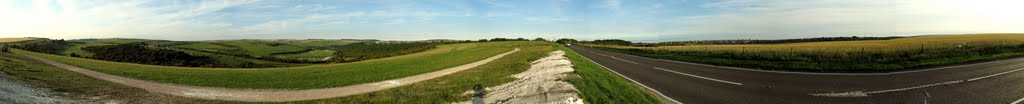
(651,21)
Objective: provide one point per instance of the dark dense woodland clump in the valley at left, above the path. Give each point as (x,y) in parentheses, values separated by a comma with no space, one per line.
(141,54)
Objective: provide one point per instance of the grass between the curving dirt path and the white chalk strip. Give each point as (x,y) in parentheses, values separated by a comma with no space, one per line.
(450,88)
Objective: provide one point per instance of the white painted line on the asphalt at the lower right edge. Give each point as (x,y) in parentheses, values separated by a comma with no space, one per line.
(865,94)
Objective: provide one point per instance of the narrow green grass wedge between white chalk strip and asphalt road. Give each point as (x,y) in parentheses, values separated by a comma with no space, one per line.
(600,86)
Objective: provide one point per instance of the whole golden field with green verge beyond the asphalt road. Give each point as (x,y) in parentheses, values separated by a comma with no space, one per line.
(852,57)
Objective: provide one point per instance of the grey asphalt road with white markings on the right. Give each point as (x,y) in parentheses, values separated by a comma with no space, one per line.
(989,83)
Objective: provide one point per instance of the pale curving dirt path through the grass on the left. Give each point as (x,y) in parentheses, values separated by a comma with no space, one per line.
(267,95)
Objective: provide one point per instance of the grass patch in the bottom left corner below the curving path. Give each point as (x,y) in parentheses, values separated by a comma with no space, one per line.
(39,75)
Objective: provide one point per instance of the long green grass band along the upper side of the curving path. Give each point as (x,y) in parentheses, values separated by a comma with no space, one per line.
(312,77)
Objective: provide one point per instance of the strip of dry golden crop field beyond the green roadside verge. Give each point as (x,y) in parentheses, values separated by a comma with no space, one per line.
(854,46)
